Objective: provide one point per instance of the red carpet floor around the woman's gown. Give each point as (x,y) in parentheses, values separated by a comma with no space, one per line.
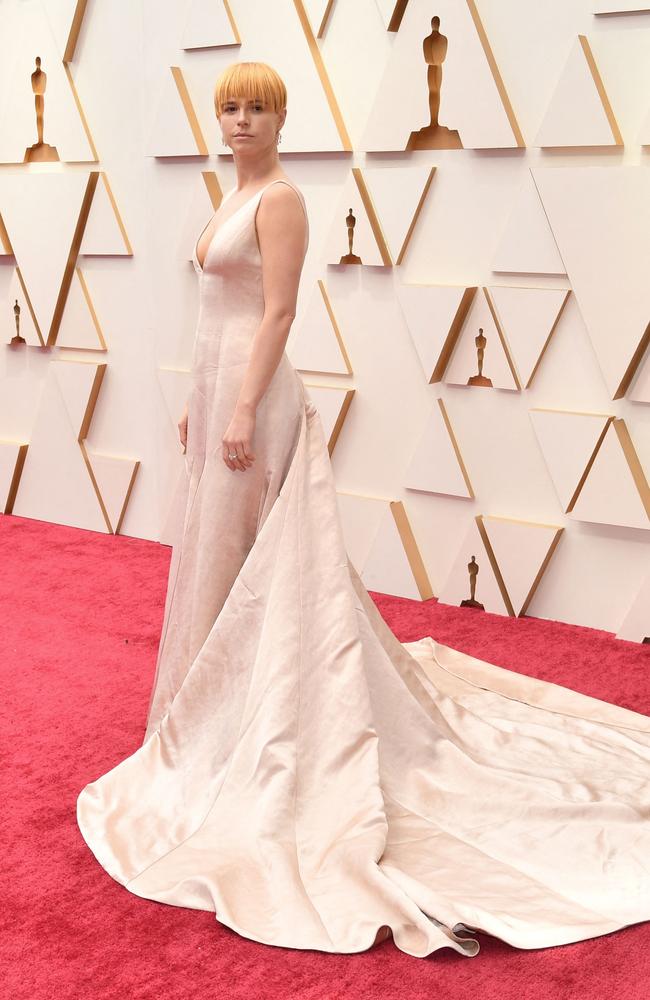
(81,617)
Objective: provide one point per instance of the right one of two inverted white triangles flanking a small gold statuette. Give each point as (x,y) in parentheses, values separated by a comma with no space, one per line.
(527,317)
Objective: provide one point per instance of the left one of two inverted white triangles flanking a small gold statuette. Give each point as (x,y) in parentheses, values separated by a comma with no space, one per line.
(430,312)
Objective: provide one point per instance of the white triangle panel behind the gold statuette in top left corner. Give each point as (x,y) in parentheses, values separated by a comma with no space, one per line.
(63,128)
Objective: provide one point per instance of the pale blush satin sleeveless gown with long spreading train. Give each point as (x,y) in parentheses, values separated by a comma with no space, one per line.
(305,775)
